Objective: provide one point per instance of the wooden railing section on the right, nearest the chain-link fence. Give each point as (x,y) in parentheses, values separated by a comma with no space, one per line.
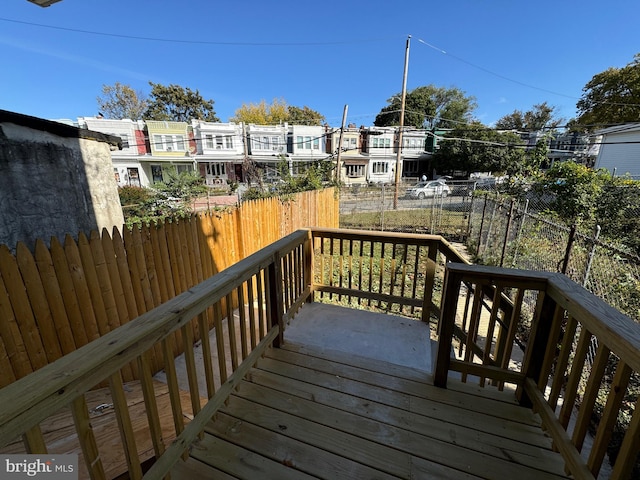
(580,355)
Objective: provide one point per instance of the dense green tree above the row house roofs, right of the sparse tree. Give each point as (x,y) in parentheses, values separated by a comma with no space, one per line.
(178,104)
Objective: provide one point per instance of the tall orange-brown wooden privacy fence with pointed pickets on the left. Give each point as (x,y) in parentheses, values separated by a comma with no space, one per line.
(56,299)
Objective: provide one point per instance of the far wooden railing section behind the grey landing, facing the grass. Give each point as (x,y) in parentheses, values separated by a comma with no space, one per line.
(391,272)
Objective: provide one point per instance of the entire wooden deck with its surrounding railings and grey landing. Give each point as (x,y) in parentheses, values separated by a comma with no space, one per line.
(347,393)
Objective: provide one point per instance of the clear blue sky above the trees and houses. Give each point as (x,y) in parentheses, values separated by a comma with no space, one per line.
(509,55)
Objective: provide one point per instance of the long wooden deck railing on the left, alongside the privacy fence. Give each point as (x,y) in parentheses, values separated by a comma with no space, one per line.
(264,289)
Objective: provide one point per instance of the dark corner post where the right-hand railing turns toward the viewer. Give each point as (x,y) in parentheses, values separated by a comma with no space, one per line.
(537,345)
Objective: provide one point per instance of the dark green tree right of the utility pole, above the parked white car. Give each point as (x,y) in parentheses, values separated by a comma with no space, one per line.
(477,148)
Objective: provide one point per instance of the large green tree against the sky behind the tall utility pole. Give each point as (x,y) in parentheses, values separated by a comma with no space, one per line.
(428,107)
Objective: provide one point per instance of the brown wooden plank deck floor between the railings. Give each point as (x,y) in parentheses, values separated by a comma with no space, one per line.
(305,413)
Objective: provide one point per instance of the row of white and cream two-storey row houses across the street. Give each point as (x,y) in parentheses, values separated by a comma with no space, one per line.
(223,152)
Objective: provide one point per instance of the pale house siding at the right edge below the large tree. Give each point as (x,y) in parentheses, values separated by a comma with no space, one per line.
(620,151)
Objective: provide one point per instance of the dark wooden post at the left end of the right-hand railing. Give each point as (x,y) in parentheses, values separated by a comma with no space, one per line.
(452,285)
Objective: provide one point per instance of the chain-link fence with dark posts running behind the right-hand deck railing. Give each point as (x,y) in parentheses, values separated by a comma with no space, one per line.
(513,233)
